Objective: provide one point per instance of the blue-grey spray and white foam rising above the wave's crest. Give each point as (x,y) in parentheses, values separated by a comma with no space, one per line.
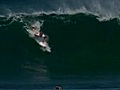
(104,9)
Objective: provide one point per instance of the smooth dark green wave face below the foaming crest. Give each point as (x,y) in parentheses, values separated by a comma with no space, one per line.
(84,51)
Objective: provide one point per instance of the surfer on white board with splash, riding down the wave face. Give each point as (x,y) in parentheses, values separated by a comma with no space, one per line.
(41,38)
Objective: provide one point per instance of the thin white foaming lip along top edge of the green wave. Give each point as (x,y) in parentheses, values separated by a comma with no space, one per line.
(61,11)
